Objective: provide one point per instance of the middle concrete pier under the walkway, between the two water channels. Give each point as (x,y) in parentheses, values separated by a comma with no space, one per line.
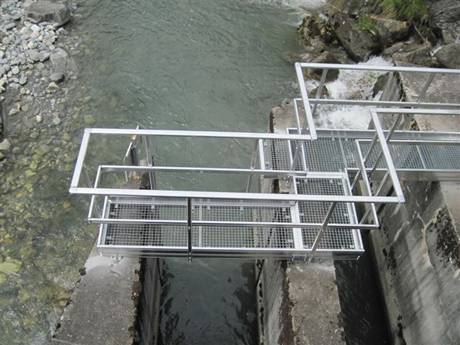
(299,302)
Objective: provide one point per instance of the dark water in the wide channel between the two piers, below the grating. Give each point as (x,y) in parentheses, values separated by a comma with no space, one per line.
(208,301)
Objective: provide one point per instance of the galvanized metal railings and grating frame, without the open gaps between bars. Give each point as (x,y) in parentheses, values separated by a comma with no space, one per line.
(375,166)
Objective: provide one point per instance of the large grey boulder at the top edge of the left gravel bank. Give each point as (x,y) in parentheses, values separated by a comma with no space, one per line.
(52,11)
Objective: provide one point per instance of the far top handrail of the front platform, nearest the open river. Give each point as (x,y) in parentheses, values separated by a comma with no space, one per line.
(198,134)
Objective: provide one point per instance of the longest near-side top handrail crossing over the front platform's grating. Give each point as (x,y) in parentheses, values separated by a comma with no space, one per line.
(234,196)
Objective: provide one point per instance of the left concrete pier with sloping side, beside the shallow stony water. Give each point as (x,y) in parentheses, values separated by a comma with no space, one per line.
(103,306)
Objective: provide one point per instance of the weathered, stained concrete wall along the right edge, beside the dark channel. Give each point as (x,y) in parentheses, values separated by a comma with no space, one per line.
(417,251)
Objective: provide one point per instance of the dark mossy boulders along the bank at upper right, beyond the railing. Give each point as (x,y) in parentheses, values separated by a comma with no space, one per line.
(352,31)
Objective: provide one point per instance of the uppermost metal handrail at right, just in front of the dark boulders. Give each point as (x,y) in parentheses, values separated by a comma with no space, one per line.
(378,68)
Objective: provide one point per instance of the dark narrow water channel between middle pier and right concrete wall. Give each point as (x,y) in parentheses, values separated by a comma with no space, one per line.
(363,308)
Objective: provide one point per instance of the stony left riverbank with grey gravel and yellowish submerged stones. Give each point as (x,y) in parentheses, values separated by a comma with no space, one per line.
(43,238)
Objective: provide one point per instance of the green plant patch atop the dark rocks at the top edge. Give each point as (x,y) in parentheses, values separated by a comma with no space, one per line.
(411,10)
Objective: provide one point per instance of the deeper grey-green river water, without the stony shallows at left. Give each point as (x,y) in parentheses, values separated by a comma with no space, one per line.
(197,64)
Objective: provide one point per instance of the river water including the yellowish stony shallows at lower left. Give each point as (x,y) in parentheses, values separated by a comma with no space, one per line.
(195,64)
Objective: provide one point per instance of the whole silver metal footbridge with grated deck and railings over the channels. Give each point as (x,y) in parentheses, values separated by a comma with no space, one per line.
(305,192)
